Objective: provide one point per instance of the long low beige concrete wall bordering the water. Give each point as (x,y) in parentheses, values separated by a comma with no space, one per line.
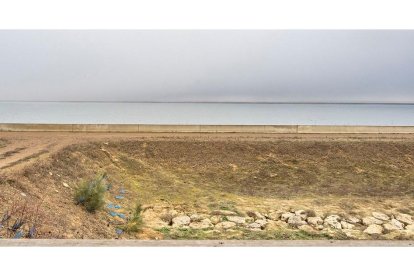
(149,128)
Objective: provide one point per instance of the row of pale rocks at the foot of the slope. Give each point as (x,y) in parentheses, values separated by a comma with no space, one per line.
(376,224)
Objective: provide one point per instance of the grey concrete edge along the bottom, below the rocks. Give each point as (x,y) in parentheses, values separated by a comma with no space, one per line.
(203,243)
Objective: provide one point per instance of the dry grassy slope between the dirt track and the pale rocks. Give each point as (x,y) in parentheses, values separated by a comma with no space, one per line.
(199,175)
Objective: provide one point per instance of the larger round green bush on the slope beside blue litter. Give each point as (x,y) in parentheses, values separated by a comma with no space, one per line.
(91,193)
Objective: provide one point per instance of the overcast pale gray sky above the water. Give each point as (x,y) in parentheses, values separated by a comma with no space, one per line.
(264,66)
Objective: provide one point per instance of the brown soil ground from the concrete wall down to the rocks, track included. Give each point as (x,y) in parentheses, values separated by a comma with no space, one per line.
(201,172)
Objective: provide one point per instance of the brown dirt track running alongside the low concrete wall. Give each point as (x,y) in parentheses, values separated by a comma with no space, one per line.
(25,147)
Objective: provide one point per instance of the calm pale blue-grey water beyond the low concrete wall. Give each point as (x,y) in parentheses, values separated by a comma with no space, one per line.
(207,113)
